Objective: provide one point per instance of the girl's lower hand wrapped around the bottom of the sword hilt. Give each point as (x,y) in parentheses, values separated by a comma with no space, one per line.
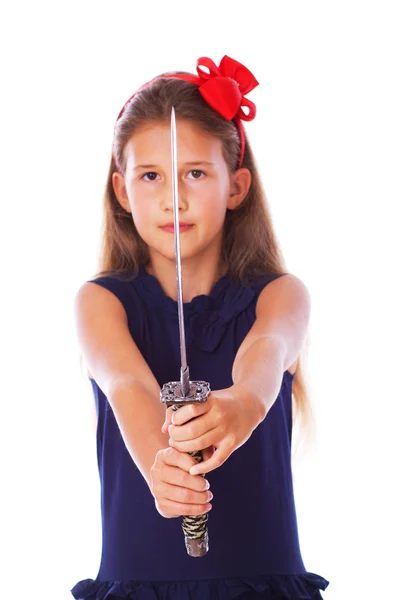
(175,491)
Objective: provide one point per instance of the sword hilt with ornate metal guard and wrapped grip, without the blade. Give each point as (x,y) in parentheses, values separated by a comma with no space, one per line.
(194,526)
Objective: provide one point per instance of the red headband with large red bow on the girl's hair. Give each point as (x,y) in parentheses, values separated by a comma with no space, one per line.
(223,88)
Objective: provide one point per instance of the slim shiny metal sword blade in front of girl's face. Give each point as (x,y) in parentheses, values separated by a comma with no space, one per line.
(185,384)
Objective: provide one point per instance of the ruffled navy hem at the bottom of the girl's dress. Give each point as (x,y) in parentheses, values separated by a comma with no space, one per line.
(302,586)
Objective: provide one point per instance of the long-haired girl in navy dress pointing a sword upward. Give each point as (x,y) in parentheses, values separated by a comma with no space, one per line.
(245,319)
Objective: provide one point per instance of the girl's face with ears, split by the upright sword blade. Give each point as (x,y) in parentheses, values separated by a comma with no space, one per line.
(206,189)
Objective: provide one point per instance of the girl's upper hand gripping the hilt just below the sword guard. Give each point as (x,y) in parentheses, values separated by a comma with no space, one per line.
(225,421)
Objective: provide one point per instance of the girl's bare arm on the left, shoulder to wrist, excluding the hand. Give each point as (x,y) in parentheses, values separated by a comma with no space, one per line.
(119,369)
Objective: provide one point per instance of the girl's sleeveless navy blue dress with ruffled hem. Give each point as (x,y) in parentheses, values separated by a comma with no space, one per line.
(254,546)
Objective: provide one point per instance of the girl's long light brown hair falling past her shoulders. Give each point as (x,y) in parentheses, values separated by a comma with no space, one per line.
(250,247)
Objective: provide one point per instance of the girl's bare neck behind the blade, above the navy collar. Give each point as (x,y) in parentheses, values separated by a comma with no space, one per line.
(196,279)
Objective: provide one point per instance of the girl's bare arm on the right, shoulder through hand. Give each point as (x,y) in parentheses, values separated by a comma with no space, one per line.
(273,344)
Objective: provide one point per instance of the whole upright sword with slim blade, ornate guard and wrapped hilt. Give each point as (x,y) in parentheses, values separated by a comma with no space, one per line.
(180,393)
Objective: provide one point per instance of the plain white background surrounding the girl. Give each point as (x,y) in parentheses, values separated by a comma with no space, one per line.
(327,140)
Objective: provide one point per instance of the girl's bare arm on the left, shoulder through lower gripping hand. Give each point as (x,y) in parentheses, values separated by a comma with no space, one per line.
(118,367)
